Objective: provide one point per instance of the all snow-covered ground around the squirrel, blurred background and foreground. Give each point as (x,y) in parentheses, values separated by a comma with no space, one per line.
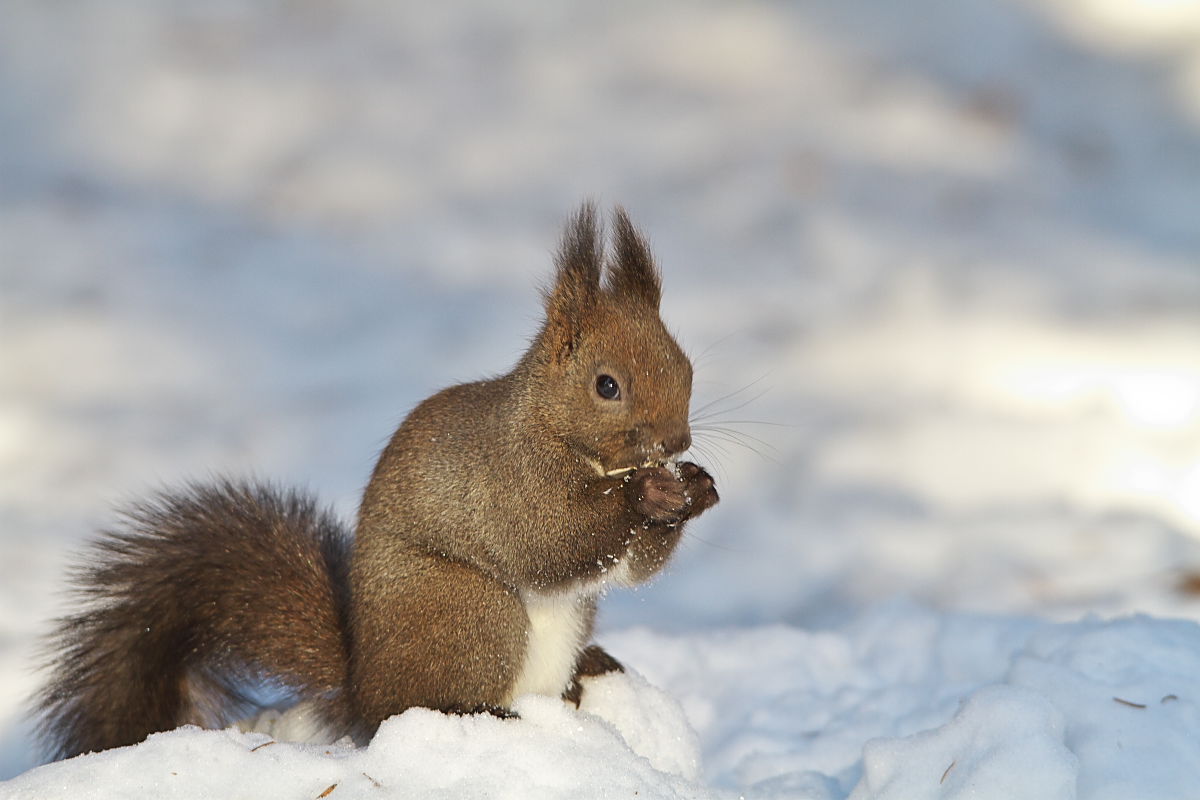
(939,266)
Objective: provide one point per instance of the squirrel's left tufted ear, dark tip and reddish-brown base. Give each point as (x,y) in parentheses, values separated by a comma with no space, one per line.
(577,281)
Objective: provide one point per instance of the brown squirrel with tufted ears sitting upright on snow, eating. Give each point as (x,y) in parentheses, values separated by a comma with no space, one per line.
(496,516)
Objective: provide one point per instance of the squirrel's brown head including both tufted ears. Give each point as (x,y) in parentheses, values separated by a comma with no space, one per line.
(615,386)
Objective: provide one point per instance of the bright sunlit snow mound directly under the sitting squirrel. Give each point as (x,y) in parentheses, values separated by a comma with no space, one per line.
(553,751)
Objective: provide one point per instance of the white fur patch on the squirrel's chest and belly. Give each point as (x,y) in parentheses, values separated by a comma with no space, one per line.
(556,636)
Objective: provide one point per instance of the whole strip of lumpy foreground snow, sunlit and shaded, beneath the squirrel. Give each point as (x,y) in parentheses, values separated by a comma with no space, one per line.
(903,705)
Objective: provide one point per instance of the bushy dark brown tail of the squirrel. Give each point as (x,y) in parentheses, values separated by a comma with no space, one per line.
(195,594)
